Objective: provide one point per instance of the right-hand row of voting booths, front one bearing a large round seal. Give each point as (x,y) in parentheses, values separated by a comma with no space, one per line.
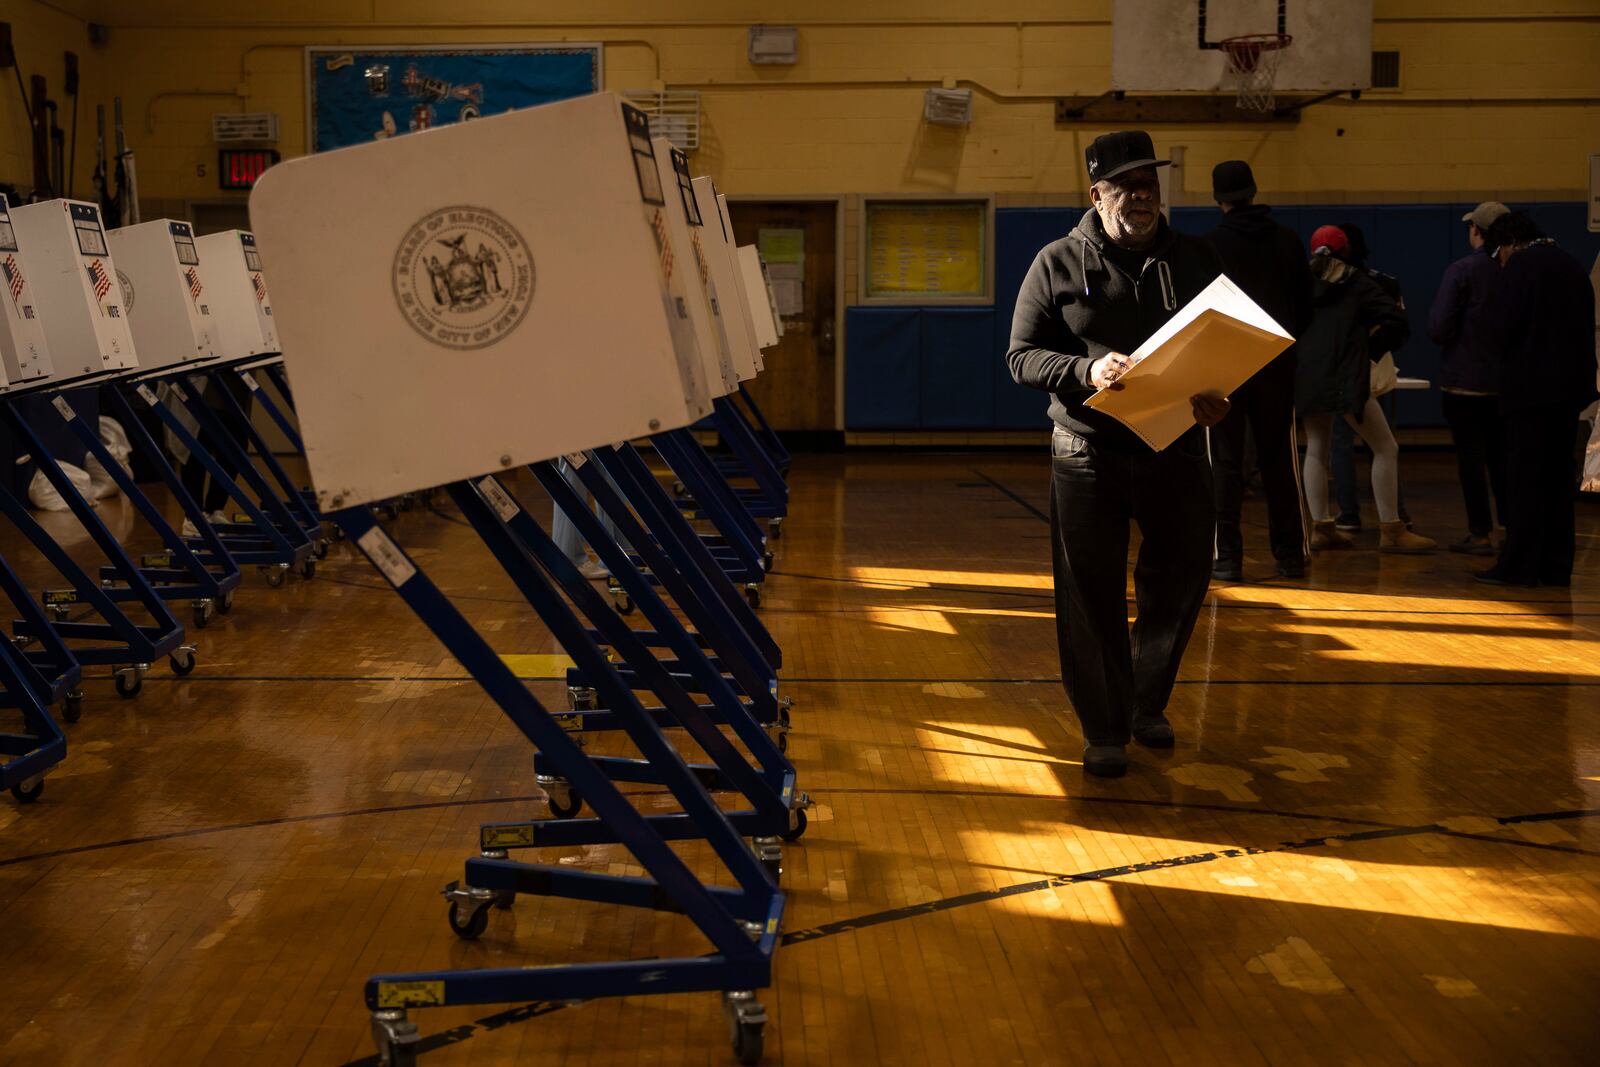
(463,305)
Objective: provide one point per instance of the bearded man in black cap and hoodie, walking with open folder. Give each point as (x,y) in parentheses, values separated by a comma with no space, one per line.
(1089,302)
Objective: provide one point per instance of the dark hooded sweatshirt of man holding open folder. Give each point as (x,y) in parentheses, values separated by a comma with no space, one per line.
(1078,305)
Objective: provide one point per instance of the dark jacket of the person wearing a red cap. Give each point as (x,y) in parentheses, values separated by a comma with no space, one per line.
(1334,375)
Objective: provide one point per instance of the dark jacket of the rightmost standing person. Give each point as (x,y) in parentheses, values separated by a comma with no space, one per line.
(1546,332)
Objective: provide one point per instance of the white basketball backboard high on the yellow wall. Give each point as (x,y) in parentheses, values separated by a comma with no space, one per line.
(1175,46)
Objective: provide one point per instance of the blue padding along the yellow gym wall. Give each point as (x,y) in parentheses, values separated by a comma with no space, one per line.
(945,367)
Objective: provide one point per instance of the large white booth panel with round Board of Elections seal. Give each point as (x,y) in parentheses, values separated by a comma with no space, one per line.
(465,300)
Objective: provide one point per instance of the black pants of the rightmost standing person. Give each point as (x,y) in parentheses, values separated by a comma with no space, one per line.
(1542,478)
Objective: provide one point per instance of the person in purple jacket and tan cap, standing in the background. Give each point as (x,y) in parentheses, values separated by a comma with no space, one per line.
(1462,326)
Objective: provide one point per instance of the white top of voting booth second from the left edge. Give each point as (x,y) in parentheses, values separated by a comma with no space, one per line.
(76,294)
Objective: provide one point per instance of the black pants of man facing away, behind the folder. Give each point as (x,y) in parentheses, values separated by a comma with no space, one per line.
(1266,406)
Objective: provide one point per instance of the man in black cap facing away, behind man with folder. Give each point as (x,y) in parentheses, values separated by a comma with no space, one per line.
(1268,263)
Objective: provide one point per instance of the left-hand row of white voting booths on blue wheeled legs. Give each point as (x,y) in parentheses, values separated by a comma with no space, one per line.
(158,330)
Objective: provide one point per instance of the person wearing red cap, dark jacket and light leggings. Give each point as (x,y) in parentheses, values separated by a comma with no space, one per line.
(1334,382)
